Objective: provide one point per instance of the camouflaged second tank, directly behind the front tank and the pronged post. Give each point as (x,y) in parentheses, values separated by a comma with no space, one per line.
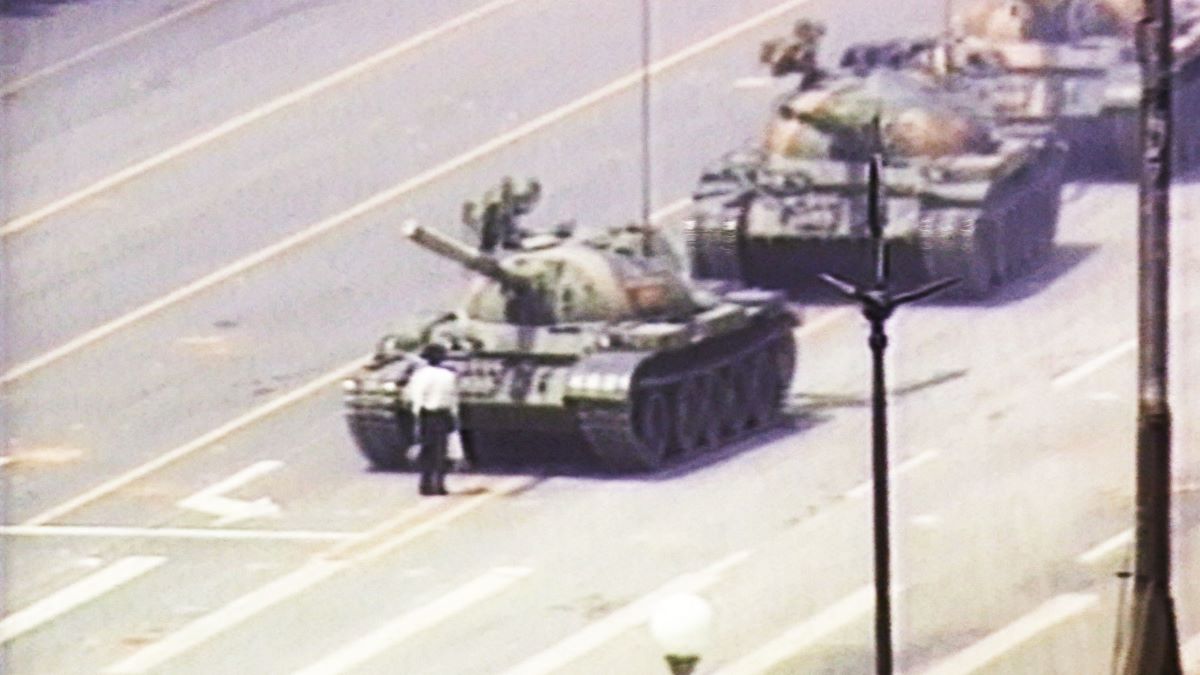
(963,199)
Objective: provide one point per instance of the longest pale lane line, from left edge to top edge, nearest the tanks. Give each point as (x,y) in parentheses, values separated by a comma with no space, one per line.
(381,199)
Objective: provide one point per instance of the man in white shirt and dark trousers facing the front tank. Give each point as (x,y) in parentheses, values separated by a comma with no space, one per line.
(434,393)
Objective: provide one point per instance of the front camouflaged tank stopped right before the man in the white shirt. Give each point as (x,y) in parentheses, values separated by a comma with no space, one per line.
(598,338)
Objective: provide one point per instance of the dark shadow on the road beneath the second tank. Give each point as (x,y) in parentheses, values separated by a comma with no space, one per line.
(1060,261)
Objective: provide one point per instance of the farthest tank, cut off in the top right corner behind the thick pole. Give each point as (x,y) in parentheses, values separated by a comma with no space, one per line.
(1065,63)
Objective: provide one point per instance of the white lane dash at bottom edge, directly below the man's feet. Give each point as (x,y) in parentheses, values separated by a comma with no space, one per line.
(385,637)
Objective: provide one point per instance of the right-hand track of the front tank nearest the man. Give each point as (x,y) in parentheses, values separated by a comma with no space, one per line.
(610,429)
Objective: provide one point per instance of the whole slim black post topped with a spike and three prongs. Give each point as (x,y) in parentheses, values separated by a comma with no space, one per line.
(879,303)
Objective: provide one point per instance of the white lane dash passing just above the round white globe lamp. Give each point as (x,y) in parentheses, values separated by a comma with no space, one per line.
(622,620)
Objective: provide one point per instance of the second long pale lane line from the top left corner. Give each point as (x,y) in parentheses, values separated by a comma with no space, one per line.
(250,117)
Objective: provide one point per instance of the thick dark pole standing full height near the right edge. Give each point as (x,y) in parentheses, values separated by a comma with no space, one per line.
(1154,647)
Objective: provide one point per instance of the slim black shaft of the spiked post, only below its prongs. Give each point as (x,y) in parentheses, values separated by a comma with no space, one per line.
(879,344)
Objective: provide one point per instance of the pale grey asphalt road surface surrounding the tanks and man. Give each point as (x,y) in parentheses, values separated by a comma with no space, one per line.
(140,428)
